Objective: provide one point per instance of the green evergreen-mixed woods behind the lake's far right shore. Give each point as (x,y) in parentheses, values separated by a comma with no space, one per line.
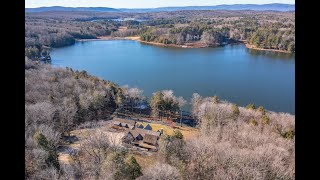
(258,32)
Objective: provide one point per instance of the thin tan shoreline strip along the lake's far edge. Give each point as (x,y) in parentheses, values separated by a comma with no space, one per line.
(190,45)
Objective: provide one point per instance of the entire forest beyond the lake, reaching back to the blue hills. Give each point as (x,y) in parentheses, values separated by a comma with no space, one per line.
(261,29)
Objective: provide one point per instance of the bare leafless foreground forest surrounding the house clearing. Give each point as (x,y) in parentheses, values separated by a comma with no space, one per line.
(234,142)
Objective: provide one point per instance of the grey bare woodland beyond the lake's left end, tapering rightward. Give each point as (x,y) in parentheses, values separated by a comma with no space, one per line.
(42,33)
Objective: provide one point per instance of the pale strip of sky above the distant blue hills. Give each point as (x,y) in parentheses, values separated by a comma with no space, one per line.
(143,3)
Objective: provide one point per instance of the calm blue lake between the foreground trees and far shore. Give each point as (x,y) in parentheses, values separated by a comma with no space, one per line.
(233,72)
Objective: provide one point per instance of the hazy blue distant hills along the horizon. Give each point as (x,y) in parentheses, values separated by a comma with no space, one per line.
(256,7)
